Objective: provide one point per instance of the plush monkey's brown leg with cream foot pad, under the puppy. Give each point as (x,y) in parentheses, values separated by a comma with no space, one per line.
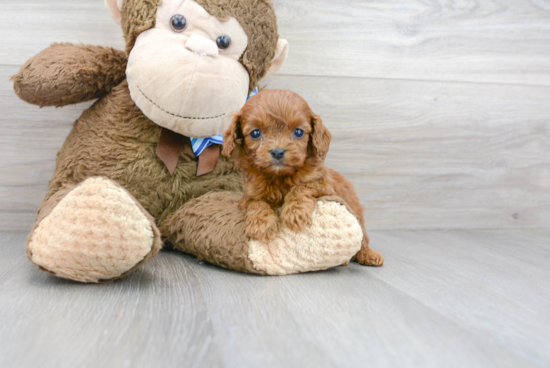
(213,228)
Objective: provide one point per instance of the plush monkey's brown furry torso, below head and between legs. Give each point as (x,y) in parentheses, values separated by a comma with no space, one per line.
(114,139)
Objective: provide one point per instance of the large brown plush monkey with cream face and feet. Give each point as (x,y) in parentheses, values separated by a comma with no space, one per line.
(142,165)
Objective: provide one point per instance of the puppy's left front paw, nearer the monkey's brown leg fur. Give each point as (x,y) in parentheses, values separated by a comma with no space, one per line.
(262,223)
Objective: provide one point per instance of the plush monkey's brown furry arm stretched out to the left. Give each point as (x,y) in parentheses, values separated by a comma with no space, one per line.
(65,74)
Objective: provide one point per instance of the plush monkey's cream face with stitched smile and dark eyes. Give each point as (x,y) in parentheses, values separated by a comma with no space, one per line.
(185,74)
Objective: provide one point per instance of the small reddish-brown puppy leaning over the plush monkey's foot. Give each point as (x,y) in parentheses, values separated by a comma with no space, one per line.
(281,146)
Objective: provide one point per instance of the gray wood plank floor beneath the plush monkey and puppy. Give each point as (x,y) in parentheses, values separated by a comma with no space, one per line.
(444,299)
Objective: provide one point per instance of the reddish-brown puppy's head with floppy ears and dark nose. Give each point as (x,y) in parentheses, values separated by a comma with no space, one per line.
(277,133)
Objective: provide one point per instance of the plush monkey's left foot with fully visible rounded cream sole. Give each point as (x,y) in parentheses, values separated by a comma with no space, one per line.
(92,232)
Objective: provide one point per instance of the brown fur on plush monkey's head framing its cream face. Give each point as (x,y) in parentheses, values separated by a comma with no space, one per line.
(257,18)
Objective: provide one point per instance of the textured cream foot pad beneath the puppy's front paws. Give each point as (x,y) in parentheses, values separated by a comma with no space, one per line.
(332,239)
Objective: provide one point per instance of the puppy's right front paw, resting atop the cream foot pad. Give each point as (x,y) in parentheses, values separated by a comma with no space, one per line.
(297,210)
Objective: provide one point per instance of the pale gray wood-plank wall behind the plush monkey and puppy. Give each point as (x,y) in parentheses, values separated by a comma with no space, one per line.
(440,110)
